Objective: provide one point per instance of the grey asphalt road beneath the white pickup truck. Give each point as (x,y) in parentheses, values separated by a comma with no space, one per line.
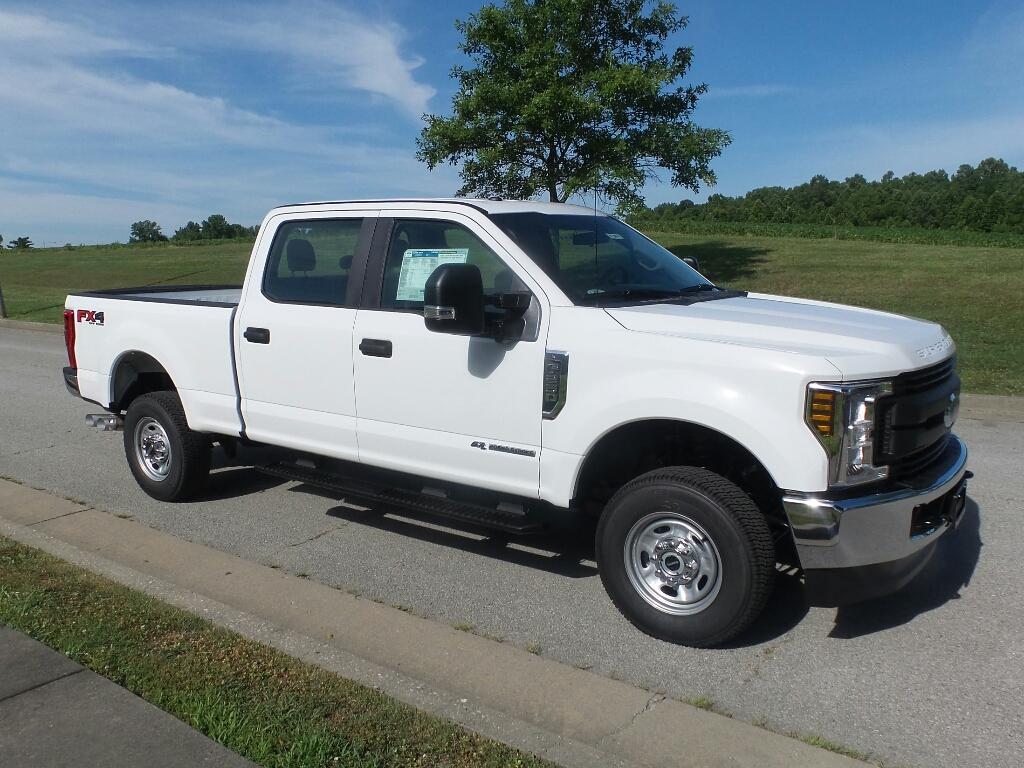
(933,676)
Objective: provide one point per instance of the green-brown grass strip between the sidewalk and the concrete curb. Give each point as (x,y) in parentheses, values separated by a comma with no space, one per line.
(255,701)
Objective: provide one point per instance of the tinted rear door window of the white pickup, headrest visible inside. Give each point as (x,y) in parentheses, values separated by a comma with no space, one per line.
(310,262)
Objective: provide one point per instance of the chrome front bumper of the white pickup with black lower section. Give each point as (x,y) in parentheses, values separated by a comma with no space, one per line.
(854,549)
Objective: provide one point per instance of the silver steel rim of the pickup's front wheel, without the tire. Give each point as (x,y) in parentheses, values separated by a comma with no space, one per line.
(673,564)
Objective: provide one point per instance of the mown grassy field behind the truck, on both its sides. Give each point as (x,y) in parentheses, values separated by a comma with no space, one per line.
(976,293)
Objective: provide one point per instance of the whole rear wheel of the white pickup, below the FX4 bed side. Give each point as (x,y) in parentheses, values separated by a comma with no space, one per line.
(186,474)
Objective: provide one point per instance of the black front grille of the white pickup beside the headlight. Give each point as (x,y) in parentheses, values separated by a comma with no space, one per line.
(911,435)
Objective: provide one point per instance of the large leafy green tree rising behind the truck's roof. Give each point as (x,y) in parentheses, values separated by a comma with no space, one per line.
(567,98)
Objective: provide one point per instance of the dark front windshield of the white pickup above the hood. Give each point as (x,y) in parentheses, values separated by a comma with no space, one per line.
(599,260)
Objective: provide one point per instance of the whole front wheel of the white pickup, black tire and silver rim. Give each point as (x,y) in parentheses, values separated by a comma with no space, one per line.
(693,500)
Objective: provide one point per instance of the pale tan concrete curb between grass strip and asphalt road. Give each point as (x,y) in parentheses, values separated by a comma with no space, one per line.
(570,716)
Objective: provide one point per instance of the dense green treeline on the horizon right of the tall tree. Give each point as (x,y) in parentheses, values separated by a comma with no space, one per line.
(989,198)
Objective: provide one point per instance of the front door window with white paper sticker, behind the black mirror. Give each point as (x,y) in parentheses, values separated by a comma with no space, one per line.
(419,246)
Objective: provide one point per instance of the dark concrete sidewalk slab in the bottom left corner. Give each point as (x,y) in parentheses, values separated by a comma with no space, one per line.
(56,713)
